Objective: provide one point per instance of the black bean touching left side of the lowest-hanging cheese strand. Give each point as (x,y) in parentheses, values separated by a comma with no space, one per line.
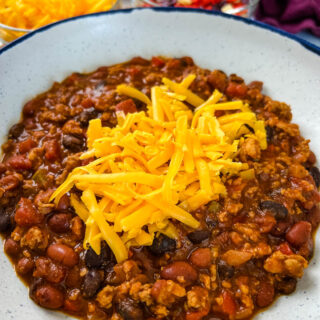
(102,261)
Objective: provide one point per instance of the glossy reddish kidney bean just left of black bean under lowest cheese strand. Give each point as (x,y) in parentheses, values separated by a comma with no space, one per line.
(63,254)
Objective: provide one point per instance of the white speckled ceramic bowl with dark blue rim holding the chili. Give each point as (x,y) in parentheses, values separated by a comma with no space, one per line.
(290,70)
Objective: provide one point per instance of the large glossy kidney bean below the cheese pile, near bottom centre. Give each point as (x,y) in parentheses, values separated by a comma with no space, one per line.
(179,269)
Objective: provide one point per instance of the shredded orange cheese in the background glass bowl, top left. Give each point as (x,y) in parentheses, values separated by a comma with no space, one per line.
(32,14)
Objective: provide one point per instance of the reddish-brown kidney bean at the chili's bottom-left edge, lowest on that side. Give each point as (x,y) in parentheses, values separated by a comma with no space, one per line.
(49,297)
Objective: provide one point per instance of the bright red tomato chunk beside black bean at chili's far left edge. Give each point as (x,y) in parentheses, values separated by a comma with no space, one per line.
(26,215)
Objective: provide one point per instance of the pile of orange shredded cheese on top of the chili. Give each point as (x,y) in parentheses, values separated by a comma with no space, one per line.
(158,166)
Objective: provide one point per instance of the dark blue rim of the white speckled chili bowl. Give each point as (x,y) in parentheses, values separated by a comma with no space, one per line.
(308,45)
